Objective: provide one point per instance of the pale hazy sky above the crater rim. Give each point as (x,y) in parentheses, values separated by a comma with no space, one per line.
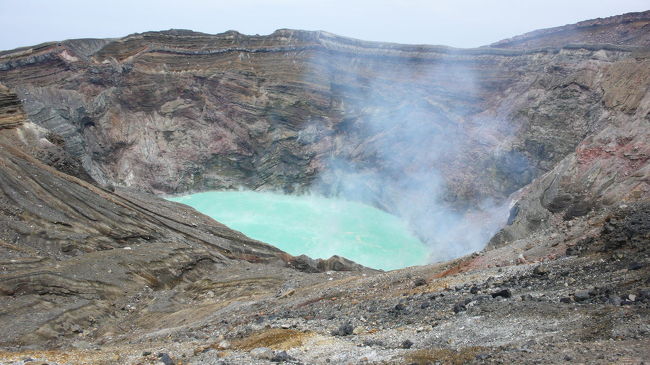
(459,23)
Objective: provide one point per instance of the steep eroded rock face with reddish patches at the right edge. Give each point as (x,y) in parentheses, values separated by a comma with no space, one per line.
(609,168)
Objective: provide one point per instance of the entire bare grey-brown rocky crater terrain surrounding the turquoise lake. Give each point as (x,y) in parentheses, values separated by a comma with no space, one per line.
(95,269)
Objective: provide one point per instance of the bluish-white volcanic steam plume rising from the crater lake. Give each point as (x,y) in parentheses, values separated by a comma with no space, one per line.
(396,144)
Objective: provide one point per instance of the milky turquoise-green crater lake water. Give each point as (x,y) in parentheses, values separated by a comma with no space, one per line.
(316,226)
